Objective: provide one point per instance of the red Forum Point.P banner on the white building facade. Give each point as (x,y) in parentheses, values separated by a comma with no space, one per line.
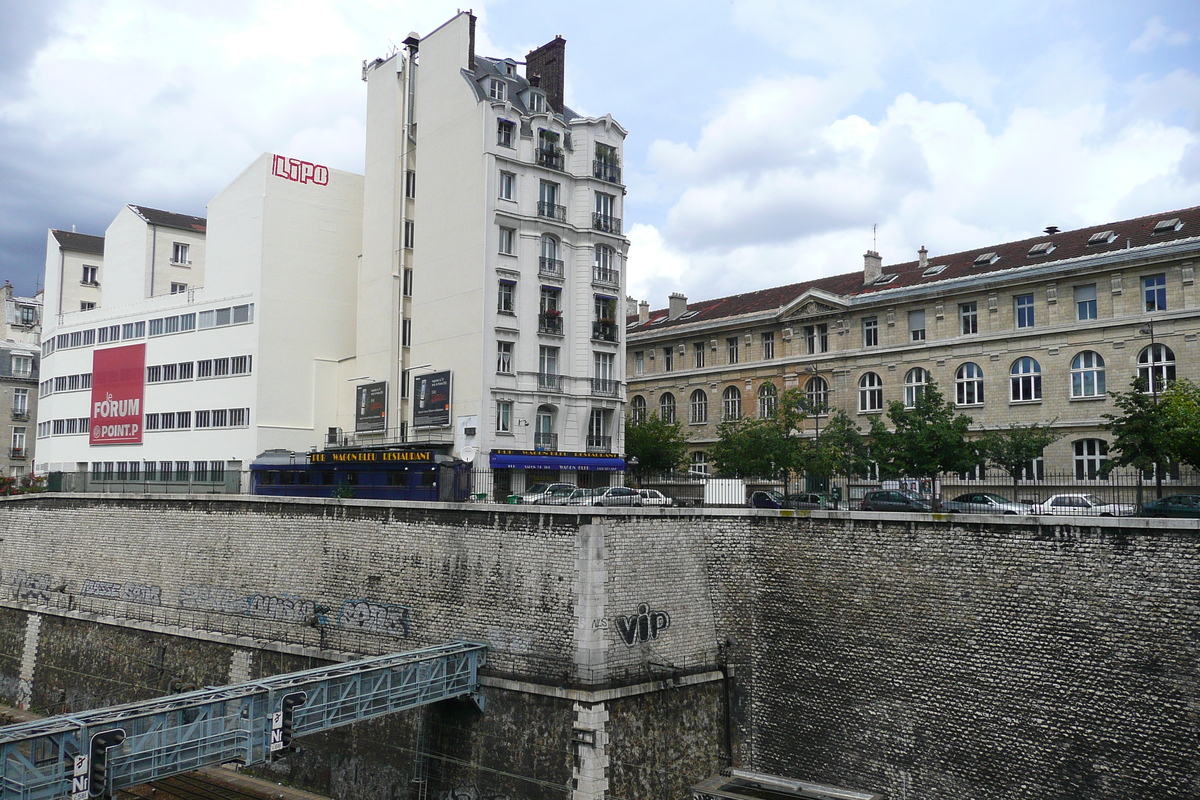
(118,380)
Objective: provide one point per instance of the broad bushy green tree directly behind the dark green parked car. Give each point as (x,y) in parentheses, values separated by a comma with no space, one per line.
(927,441)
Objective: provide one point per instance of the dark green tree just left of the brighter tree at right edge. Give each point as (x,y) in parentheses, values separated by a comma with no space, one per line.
(1142,436)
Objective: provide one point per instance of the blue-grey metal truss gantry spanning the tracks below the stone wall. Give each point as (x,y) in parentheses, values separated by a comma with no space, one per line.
(94,754)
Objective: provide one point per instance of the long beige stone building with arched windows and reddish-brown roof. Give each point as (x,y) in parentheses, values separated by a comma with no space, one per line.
(1036,330)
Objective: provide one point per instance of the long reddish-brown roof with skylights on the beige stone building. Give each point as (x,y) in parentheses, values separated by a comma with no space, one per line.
(1009,256)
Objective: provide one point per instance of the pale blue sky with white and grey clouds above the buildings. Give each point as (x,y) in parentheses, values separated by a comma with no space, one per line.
(770,141)
